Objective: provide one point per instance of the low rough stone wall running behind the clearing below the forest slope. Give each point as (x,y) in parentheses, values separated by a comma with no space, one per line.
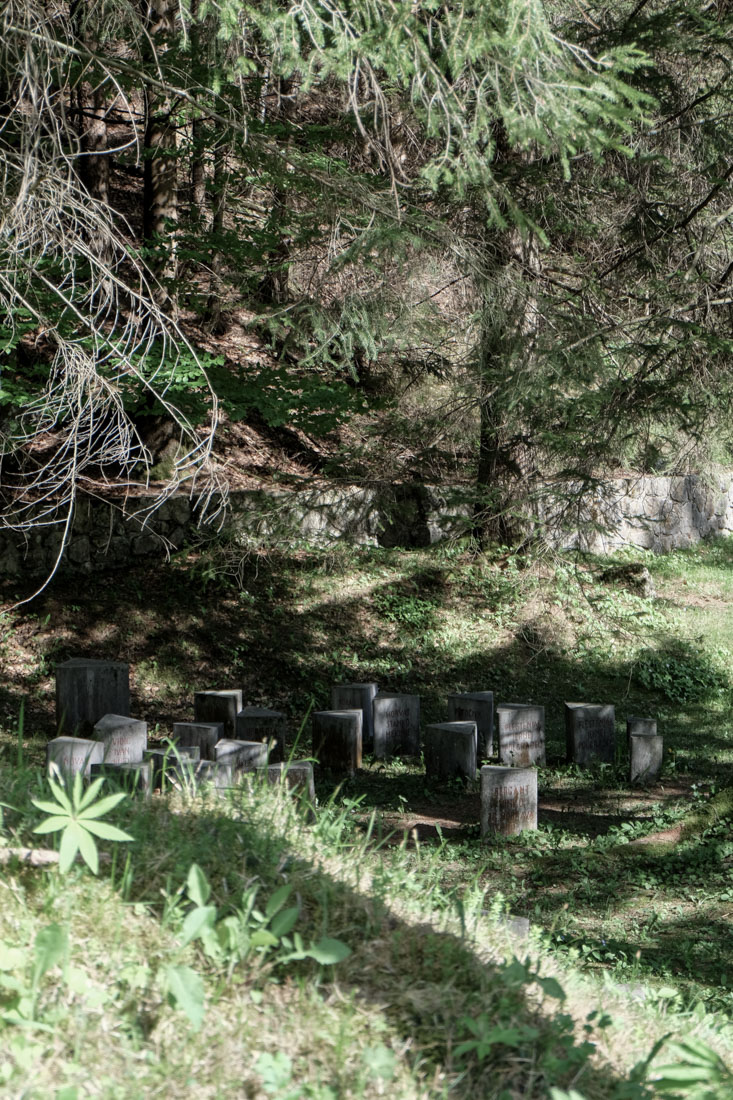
(659,514)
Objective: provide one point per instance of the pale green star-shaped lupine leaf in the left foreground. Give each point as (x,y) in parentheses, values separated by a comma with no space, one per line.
(76,817)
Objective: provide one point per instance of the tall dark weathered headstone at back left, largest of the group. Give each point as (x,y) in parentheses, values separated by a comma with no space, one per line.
(87,690)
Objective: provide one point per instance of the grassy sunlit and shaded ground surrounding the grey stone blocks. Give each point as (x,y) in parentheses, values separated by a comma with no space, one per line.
(650,920)
